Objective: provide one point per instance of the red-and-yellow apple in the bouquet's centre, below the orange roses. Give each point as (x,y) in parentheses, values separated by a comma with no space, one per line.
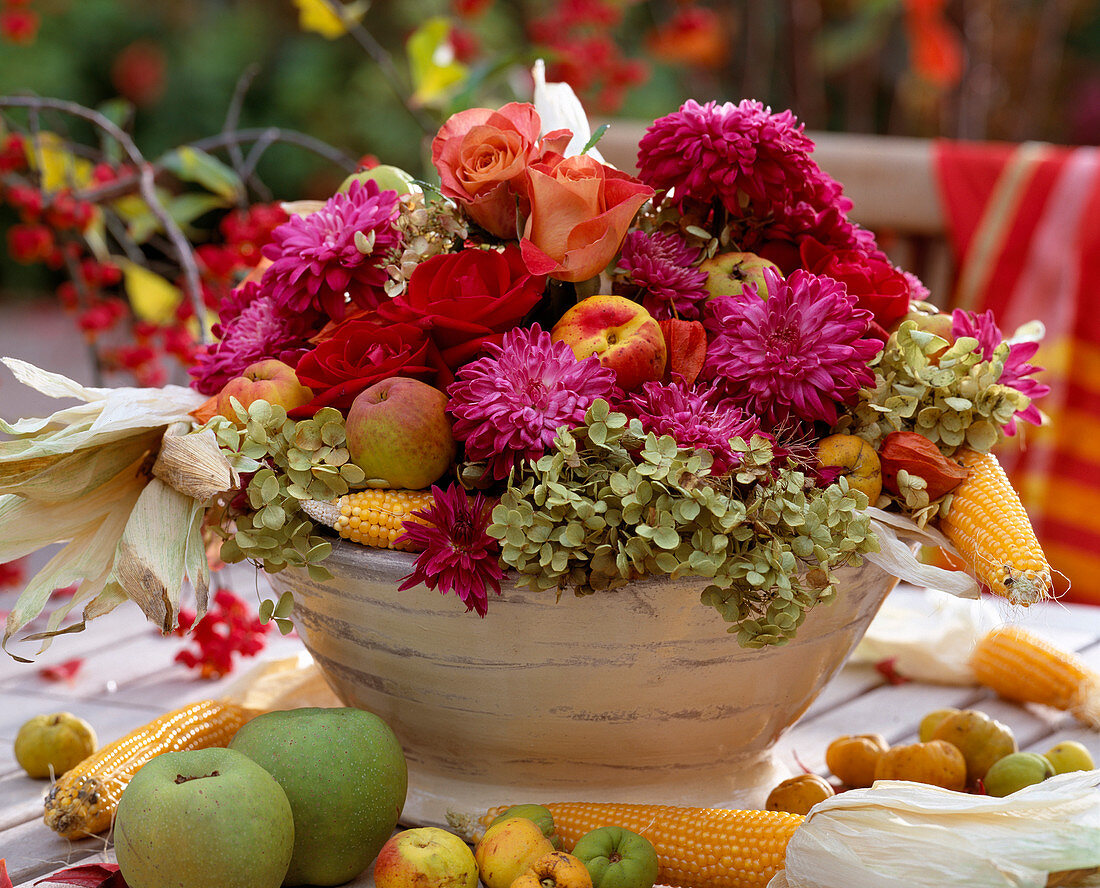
(621,333)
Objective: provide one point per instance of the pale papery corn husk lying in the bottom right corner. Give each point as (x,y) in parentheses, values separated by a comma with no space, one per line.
(899,835)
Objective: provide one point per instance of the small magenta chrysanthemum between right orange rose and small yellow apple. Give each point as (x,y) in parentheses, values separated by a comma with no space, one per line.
(663,266)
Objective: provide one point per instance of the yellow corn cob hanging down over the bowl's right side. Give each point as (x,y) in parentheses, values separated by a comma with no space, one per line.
(988,527)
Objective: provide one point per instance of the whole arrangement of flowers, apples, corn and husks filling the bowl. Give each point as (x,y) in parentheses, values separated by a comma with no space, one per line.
(545,366)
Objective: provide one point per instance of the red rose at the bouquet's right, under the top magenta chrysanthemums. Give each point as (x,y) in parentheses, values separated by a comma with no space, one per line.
(882,289)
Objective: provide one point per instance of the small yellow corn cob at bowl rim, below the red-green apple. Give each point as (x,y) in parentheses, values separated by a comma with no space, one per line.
(372,518)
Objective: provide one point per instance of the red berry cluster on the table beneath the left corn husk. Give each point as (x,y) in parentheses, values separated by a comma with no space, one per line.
(227,629)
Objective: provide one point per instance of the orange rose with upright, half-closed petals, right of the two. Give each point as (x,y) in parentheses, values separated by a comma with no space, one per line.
(581,211)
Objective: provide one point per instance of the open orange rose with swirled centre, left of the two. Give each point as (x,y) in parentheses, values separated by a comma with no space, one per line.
(482,158)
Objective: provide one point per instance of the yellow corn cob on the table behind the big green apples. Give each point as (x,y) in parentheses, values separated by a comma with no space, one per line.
(84,801)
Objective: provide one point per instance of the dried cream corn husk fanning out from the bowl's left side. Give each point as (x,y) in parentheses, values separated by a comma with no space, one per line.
(81,477)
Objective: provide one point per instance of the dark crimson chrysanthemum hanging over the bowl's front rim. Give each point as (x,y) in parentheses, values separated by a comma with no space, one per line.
(457,553)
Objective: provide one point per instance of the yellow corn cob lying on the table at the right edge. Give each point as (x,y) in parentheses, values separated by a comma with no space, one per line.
(1024,667)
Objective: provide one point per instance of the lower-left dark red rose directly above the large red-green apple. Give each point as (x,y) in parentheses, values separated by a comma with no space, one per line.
(362,352)
